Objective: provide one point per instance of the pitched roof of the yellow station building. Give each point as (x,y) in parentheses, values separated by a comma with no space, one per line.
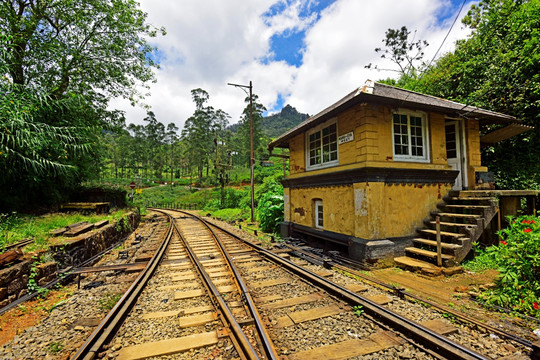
(373,92)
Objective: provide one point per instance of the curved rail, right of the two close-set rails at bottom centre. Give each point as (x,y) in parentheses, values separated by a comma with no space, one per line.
(267,344)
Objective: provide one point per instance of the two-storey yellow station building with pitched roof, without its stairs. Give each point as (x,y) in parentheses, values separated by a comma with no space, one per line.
(366,171)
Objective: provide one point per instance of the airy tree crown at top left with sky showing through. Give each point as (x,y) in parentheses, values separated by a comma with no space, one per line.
(77,46)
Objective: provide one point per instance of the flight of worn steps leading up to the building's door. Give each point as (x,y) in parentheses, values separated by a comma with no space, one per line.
(463,218)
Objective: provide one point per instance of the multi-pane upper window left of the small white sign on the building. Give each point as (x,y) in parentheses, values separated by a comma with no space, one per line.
(323,146)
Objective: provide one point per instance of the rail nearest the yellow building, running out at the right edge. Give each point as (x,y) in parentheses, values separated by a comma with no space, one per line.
(402,293)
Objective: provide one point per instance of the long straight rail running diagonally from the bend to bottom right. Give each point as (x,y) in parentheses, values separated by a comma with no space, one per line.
(435,342)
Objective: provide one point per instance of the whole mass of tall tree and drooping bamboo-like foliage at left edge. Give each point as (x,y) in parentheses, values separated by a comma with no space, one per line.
(63,59)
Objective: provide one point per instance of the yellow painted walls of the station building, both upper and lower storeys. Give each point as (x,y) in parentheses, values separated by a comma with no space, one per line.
(375,210)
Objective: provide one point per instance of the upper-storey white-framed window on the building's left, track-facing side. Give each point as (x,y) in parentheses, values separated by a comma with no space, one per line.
(322,146)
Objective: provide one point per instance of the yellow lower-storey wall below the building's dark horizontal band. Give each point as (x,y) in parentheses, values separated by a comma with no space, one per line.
(372,210)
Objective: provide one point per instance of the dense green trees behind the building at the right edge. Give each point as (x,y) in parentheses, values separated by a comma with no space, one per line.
(497,68)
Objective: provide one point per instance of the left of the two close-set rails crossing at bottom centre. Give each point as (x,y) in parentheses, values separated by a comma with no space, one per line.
(239,335)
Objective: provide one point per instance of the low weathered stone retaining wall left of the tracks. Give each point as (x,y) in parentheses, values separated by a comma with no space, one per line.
(72,252)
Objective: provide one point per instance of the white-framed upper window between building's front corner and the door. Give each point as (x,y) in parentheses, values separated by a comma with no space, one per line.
(410,136)
